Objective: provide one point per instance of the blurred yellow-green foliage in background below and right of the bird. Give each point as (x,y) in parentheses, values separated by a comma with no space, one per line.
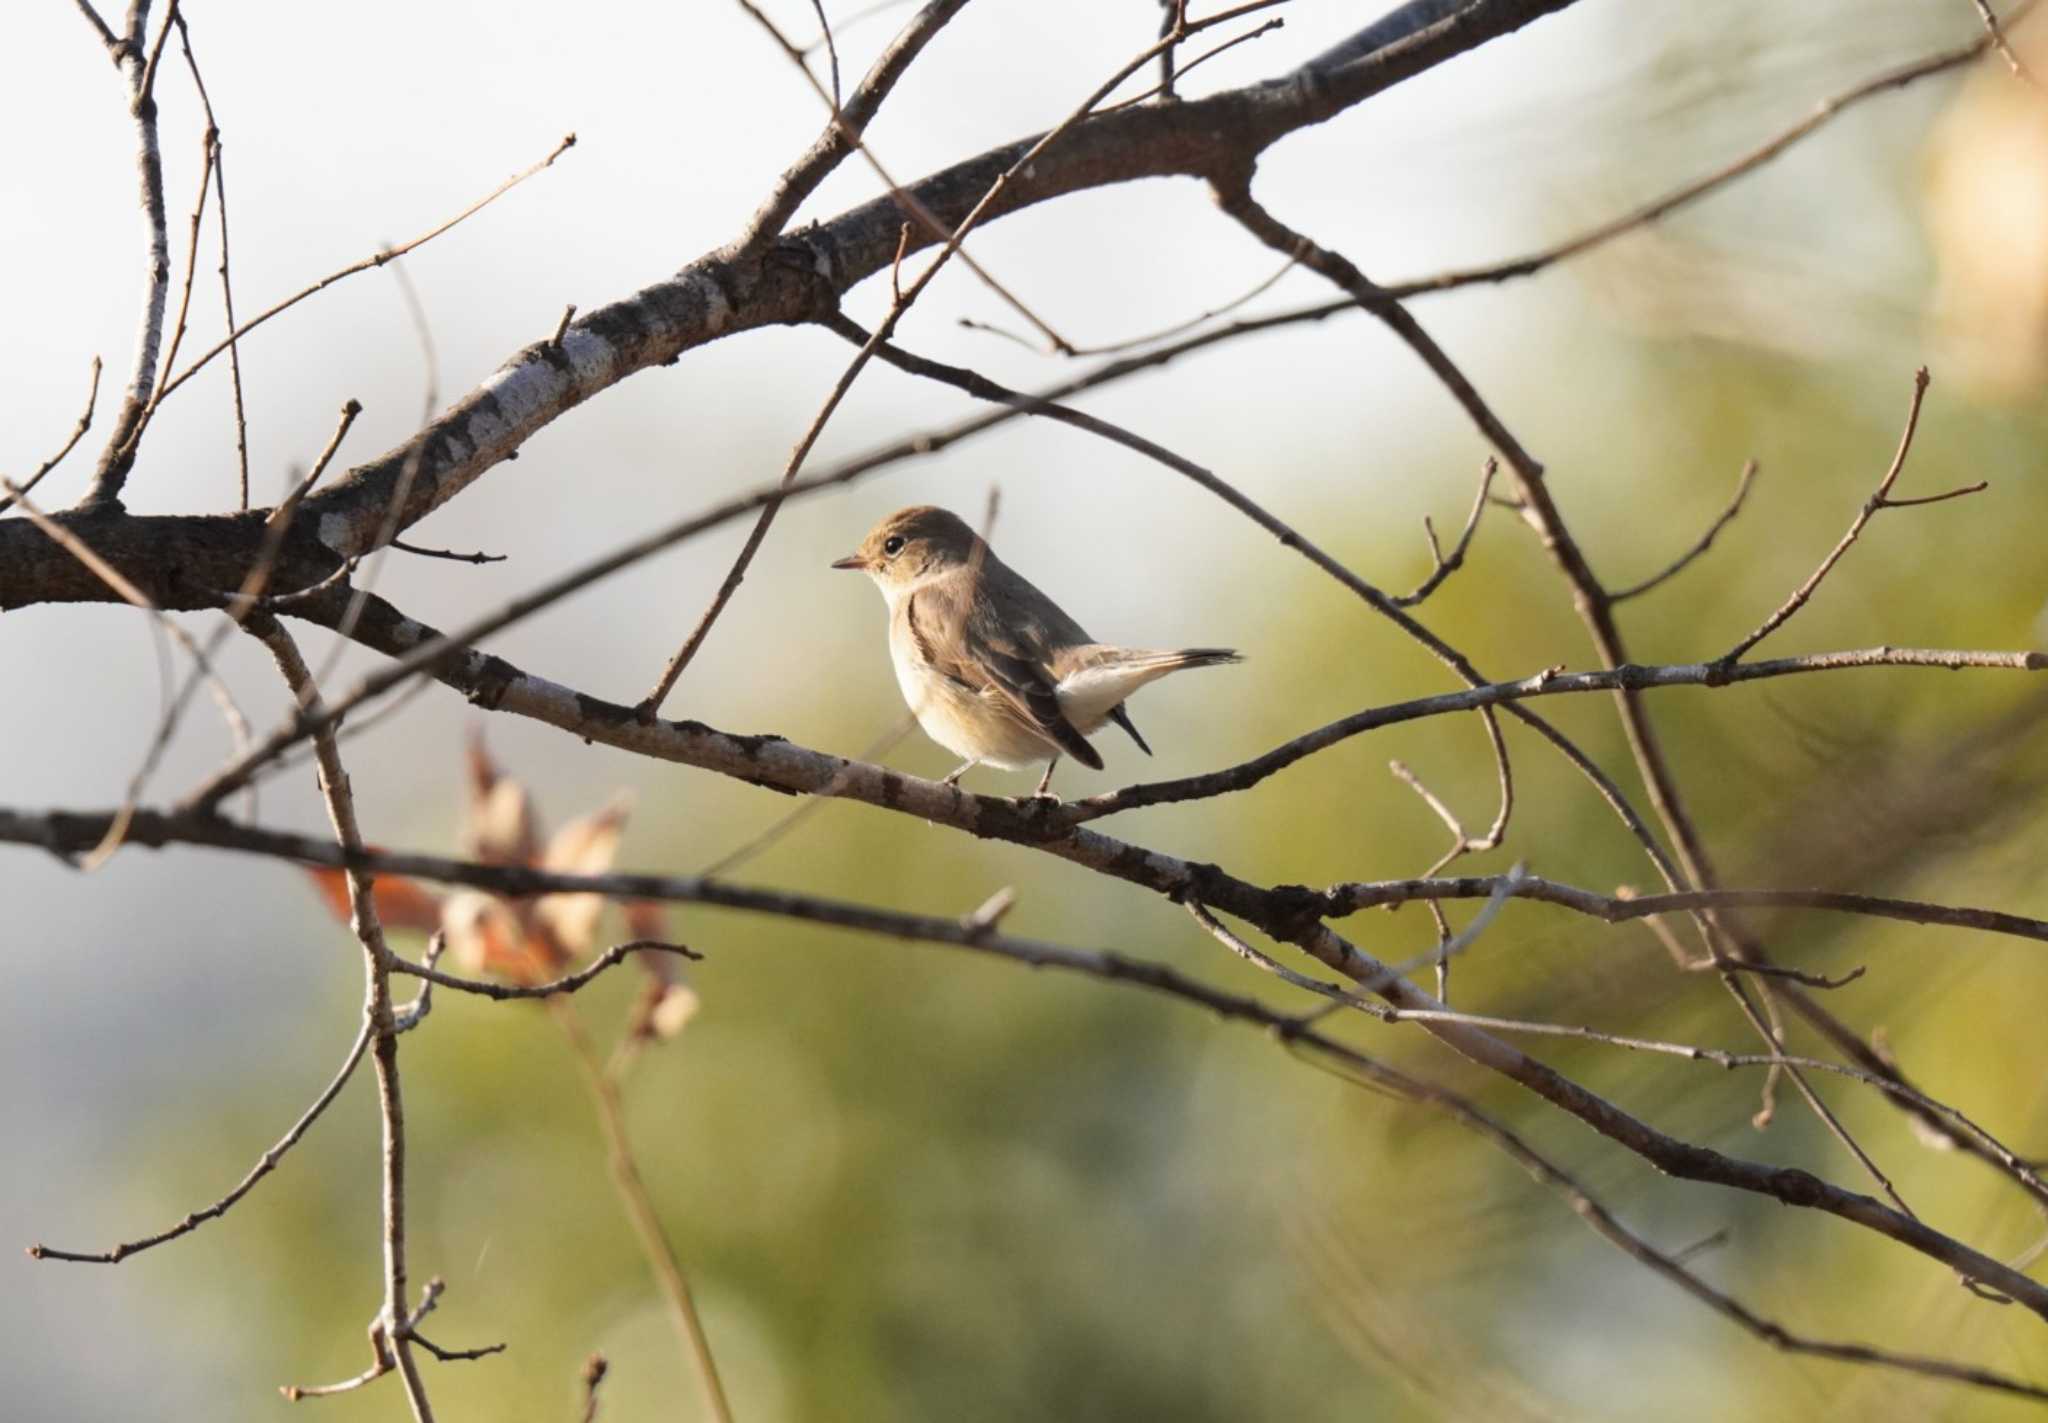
(923,1184)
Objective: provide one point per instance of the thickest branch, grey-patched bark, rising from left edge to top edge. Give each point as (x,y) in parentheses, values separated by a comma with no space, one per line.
(730,292)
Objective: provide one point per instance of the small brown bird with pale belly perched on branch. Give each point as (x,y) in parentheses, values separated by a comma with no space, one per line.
(992,669)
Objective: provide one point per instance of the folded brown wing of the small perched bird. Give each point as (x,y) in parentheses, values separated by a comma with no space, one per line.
(968,642)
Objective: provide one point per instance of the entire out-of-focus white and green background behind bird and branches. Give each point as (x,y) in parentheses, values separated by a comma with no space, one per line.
(923,1184)
